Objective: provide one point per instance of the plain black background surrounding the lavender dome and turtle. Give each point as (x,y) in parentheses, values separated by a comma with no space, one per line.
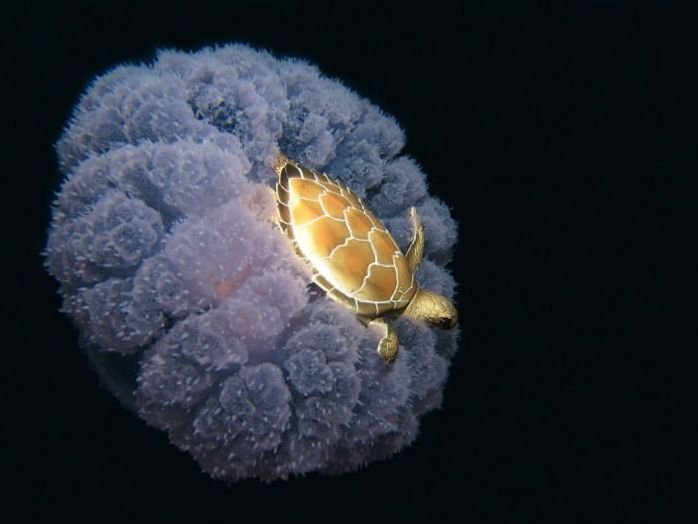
(563,141)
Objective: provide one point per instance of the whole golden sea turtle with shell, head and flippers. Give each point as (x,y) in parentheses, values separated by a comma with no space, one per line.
(353,257)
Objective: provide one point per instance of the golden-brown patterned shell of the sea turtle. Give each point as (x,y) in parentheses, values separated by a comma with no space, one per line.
(353,256)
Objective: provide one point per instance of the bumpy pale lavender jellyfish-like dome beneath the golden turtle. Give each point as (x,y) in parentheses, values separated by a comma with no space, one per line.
(190,301)
